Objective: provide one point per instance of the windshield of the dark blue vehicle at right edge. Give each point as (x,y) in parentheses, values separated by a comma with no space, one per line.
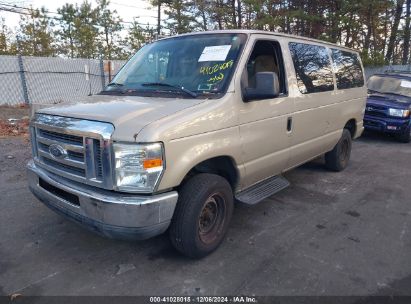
(390,85)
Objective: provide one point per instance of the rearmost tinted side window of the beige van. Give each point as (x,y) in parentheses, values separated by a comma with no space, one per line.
(347,68)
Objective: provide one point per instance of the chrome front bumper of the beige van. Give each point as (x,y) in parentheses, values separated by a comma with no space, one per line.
(112,214)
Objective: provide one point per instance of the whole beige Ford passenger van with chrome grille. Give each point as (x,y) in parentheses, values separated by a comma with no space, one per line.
(192,124)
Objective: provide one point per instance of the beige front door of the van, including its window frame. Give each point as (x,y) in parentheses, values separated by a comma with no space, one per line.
(265,130)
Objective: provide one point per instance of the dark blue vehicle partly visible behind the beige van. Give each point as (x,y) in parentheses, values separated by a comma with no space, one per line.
(388,104)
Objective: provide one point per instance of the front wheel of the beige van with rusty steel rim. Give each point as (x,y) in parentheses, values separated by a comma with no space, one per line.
(203,213)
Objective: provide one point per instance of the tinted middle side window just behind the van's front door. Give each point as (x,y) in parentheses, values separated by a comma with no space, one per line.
(313,68)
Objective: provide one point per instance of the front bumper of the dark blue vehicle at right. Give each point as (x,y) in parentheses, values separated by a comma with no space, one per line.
(387,125)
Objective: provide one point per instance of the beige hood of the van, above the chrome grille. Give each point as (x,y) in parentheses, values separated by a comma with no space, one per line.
(128,114)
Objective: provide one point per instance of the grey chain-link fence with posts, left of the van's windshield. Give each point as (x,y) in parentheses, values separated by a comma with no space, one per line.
(45,80)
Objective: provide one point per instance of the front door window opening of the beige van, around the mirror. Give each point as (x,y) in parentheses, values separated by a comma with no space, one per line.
(265,57)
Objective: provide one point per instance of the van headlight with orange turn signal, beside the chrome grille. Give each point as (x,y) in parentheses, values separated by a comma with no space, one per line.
(138,167)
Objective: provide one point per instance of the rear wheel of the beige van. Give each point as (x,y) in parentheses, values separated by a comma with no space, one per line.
(337,159)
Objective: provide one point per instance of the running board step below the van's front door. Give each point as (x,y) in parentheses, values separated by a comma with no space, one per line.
(262,190)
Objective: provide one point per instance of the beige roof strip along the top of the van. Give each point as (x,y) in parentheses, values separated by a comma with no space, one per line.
(250,32)
